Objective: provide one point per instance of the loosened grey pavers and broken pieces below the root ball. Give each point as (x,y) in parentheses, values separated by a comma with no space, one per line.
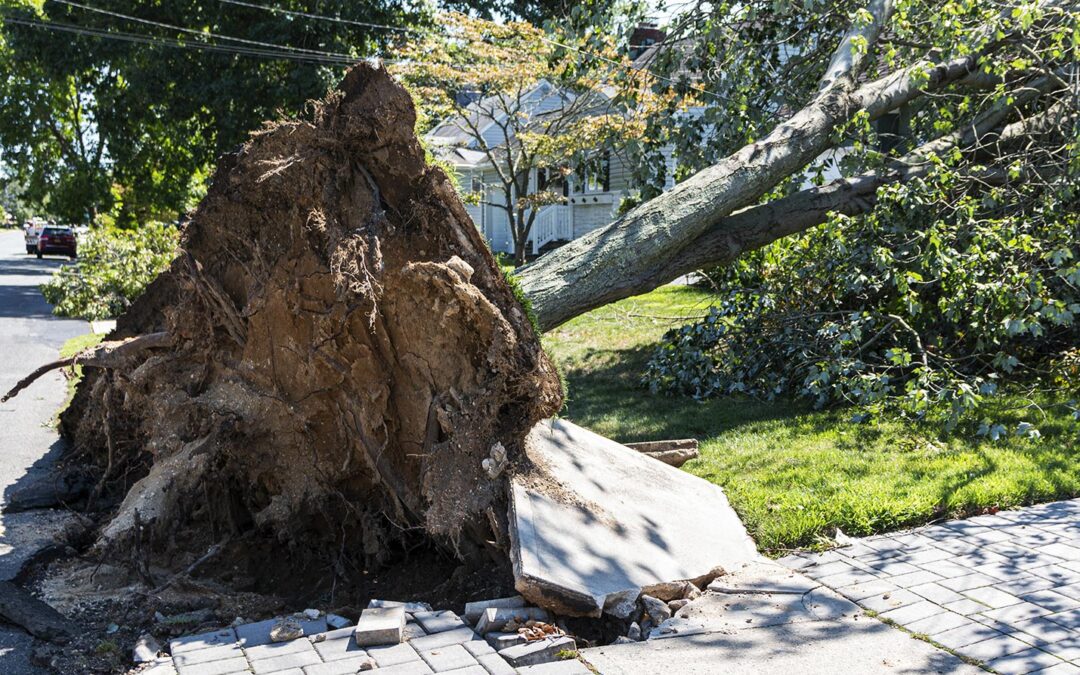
(391,637)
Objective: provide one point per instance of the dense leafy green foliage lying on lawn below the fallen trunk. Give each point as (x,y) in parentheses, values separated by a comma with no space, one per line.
(916,309)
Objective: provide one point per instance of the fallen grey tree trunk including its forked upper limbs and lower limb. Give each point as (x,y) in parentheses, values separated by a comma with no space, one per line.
(638,252)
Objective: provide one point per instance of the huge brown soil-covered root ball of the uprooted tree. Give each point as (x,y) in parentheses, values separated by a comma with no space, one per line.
(334,355)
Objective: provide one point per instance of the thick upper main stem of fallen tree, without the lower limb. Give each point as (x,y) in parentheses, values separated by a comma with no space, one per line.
(613,263)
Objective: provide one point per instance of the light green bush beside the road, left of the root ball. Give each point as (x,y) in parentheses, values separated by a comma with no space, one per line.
(113,269)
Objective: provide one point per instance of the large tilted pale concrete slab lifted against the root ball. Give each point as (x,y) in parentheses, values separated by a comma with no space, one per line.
(597,519)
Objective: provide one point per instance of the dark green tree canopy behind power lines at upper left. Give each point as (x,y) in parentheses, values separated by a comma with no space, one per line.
(123,107)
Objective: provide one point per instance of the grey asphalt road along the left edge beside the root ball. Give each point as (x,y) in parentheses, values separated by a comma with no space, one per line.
(30,337)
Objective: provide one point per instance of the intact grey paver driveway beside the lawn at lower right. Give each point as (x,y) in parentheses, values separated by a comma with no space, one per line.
(1002,589)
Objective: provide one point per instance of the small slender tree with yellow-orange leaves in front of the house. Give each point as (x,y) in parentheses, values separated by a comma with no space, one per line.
(528,102)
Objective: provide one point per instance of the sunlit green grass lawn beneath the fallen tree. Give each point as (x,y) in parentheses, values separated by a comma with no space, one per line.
(795,475)
